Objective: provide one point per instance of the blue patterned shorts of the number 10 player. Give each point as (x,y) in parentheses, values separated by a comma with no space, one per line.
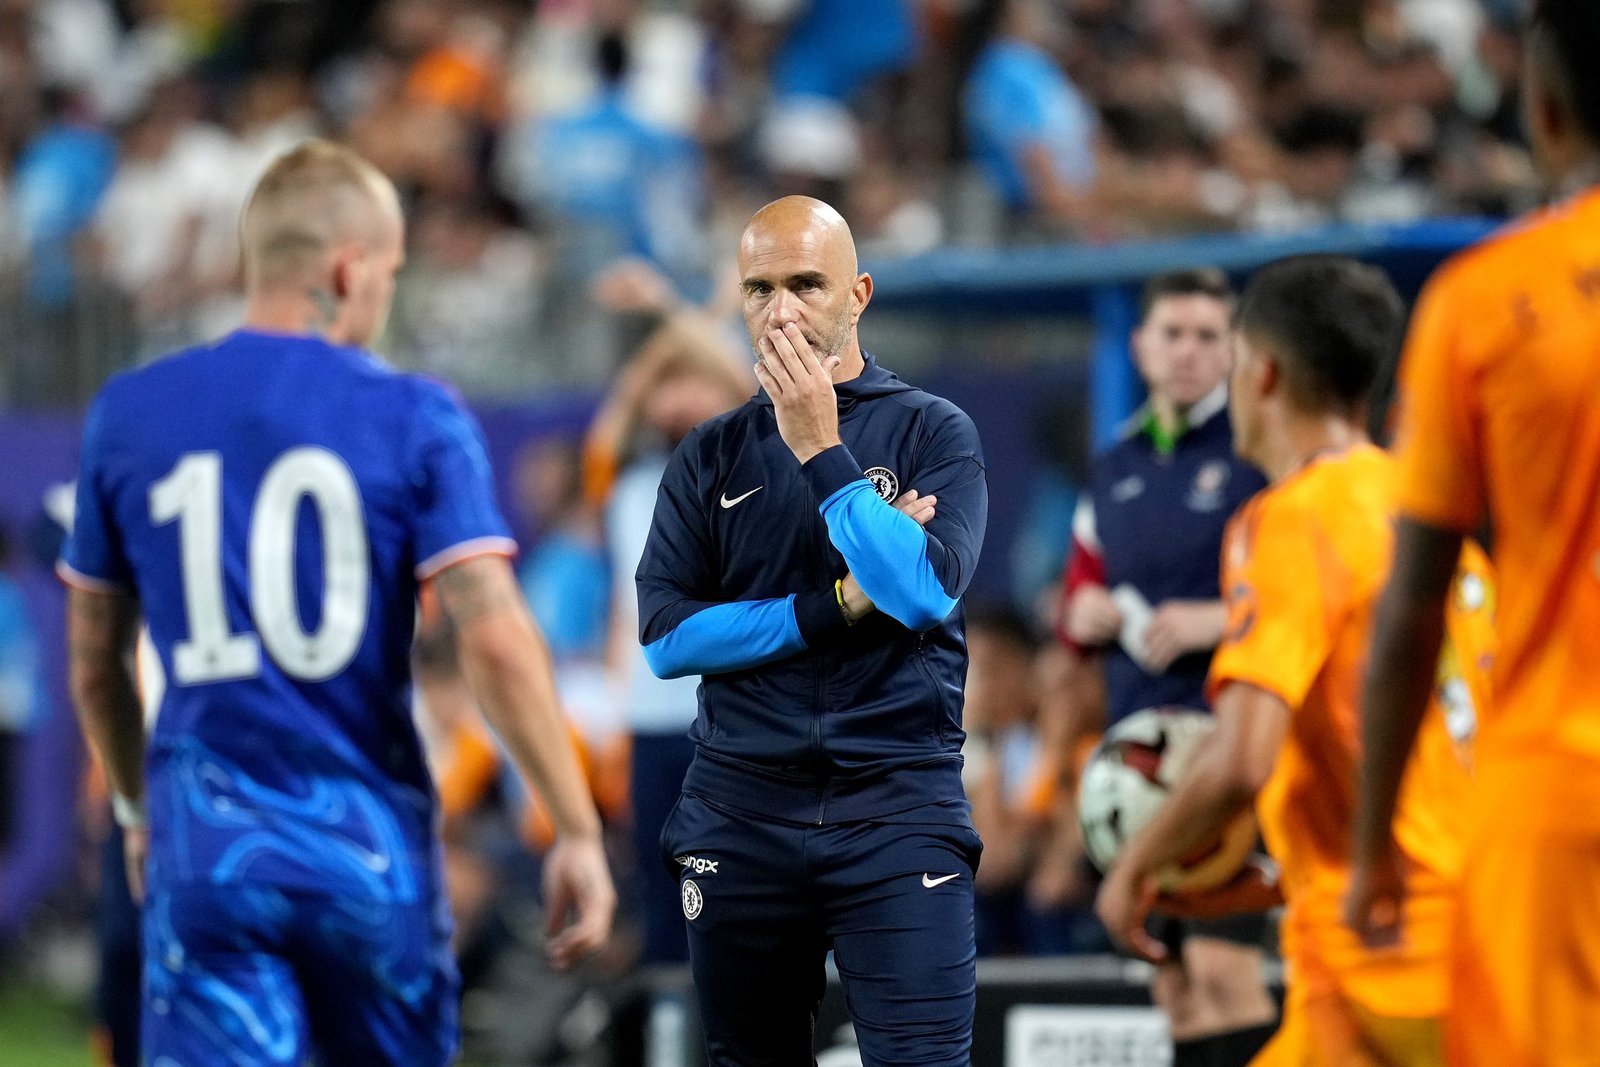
(250,975)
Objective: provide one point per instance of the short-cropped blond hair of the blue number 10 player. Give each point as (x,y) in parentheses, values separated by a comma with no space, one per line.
(313,199)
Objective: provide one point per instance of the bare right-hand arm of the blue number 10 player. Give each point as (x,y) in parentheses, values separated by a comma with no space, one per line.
(508,669)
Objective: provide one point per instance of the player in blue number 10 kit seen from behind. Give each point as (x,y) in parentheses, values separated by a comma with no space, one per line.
(274,505)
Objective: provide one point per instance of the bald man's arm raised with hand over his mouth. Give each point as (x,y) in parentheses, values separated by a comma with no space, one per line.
(913,573)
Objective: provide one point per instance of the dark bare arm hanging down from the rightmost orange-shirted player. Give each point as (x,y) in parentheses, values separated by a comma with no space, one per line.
(1402,669)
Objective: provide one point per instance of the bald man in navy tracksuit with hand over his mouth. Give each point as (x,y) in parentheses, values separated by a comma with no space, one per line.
(807,559)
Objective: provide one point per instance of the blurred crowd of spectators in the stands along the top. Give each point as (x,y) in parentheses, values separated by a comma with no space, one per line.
(538,145)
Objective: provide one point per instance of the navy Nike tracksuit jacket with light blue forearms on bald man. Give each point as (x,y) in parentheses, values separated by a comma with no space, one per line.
(804,717)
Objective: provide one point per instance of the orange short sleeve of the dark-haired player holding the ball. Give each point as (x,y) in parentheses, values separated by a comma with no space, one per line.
(1278,594)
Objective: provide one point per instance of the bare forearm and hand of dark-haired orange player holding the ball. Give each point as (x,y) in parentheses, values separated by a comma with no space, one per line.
(1228,772)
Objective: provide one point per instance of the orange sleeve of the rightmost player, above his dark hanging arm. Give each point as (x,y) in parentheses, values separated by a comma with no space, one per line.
(1436,442)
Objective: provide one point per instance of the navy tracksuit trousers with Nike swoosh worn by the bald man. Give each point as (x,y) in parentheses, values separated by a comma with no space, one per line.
(766,901)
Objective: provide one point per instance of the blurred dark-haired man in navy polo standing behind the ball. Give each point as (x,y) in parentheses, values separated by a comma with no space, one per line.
(1142,591)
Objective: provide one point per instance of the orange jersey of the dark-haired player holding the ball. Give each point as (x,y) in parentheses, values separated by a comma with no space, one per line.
(1303,567)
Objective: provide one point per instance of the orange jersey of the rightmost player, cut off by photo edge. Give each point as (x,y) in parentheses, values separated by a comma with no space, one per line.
(1500,420)
